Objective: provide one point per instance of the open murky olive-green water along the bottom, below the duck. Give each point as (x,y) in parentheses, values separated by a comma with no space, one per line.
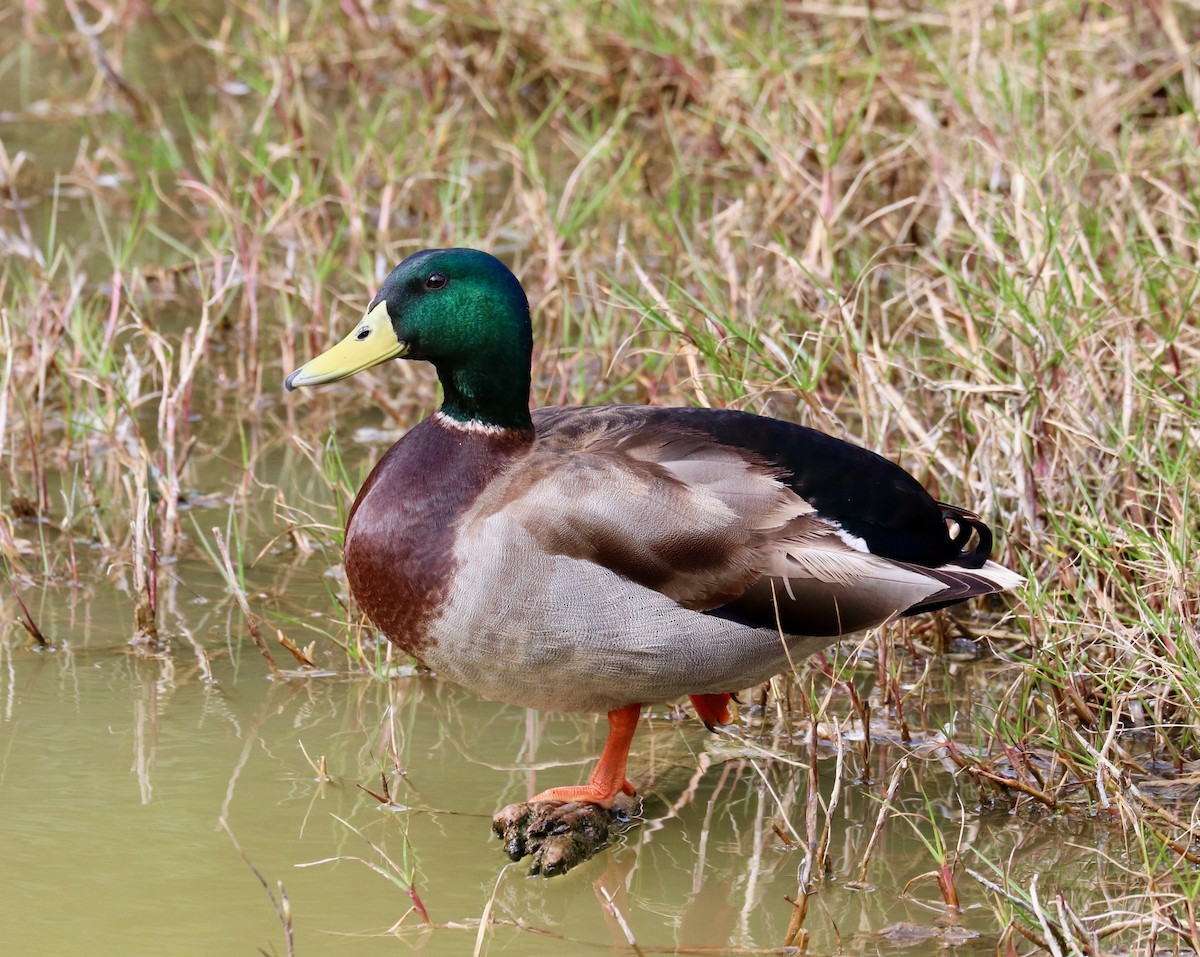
(117,772)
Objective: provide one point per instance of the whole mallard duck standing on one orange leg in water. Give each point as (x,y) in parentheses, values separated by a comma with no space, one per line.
(602,559)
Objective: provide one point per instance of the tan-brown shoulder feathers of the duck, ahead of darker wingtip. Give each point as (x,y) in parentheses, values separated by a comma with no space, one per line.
(673,511)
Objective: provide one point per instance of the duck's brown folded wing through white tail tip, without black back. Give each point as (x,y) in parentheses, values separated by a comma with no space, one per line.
(712,527)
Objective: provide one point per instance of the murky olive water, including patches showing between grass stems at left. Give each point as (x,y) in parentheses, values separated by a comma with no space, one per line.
(149,808)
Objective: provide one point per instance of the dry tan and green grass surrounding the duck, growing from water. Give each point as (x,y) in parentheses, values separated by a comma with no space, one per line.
(965,236)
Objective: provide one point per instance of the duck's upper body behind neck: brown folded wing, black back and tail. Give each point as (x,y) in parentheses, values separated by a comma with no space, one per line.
(710,513)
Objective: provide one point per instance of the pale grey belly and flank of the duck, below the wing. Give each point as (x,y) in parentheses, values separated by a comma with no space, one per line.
(567,635)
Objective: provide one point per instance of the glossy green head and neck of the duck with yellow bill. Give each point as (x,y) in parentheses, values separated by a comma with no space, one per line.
(461,310)
